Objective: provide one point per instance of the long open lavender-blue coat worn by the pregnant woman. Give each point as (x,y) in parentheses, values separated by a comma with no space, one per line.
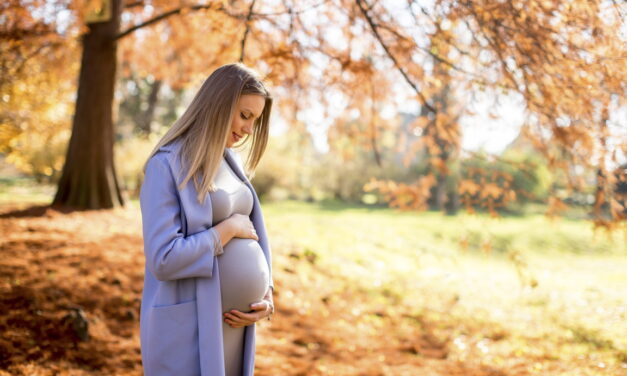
(181,311)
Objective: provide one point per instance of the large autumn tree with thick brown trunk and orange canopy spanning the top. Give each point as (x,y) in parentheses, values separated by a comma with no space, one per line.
(564,58)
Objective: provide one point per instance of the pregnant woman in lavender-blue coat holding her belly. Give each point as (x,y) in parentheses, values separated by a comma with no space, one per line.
(208,274)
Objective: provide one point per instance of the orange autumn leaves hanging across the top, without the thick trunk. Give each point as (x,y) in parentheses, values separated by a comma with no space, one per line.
(564,58)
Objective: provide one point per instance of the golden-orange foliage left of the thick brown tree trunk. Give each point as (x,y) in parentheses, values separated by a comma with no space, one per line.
(37,66)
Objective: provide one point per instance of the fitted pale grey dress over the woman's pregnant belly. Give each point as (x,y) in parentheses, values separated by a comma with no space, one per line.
(244,274)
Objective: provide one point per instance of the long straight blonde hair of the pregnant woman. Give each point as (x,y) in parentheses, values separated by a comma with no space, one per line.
(205,125)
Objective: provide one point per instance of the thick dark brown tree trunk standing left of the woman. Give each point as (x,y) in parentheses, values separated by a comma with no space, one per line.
(89,180)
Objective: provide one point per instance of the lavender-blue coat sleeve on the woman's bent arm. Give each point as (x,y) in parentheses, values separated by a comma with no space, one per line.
(169,253)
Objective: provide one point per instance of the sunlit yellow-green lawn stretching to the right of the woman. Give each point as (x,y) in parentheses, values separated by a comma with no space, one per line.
(540,277)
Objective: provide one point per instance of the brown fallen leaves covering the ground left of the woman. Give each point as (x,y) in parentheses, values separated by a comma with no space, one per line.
(67,291)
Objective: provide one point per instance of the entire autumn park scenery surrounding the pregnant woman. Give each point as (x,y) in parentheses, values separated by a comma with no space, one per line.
(444,185)
